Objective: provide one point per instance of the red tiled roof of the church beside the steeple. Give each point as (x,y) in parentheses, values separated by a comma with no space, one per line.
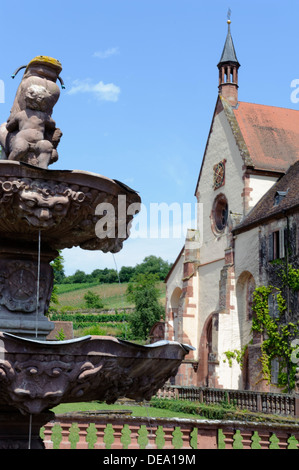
(271,135)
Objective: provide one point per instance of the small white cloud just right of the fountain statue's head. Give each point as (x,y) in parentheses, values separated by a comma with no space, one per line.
(102,91)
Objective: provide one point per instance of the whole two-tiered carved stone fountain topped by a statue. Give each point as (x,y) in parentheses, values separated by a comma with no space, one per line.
(41,212)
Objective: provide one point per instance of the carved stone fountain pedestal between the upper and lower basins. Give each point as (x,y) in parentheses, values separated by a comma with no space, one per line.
(26,284)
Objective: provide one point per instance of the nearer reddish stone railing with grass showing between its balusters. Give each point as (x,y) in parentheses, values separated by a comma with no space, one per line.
(128,432)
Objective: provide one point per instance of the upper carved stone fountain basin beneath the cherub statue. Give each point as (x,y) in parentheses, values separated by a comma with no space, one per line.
(69,208)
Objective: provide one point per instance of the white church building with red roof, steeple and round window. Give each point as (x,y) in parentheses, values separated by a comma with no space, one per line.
(247,194)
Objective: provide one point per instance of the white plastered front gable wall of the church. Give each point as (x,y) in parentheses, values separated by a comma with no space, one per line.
(221,146)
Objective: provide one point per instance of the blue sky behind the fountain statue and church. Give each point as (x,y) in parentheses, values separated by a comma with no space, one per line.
(141,86)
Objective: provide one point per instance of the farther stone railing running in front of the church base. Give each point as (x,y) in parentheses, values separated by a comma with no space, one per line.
(273,403)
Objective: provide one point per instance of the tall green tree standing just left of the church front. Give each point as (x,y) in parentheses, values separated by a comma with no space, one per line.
(148,310)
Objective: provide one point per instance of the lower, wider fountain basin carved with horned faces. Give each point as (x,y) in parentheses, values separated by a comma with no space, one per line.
(37,375)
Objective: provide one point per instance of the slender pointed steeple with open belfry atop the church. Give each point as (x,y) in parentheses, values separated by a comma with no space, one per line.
(228,70)
